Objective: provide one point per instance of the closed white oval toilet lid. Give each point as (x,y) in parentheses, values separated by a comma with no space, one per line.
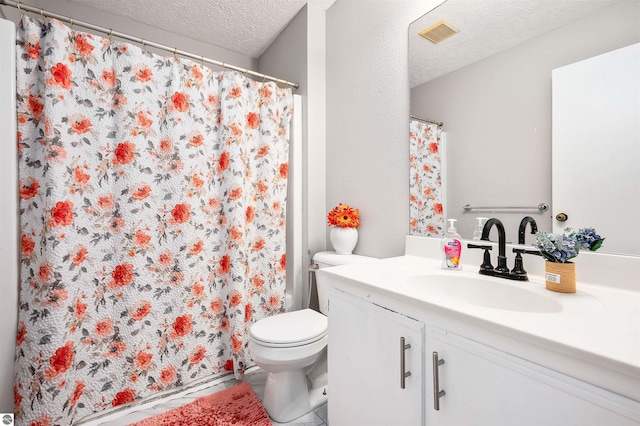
(290,329)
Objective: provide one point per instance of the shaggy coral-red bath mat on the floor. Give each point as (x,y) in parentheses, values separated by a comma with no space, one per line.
(236,406)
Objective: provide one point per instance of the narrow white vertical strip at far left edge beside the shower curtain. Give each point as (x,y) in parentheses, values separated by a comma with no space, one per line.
(8,215)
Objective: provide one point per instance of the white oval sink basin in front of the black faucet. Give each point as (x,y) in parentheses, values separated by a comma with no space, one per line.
(479,291)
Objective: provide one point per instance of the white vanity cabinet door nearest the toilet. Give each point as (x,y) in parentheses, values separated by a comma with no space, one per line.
(365,358)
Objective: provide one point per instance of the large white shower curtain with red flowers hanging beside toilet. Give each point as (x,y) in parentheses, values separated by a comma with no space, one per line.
(152,201)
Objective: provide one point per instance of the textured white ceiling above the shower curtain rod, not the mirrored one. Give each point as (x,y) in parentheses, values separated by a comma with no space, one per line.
(243,26)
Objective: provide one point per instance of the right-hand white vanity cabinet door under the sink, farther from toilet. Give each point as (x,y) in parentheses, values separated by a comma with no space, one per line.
(484,386)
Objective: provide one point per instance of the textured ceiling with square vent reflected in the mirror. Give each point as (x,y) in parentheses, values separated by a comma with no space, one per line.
(487,27)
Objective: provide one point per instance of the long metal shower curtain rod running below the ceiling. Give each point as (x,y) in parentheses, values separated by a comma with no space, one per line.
(25,8)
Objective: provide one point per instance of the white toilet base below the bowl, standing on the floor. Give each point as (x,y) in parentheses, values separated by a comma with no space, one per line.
(287,395)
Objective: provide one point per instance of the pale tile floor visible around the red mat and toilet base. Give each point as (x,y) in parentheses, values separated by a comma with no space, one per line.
(256,379)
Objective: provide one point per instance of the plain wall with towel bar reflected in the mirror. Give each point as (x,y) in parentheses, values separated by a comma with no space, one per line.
(497,115)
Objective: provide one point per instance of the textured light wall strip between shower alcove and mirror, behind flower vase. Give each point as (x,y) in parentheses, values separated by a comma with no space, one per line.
(368,117)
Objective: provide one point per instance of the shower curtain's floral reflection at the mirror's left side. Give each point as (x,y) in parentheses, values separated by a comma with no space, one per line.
(426,216)
